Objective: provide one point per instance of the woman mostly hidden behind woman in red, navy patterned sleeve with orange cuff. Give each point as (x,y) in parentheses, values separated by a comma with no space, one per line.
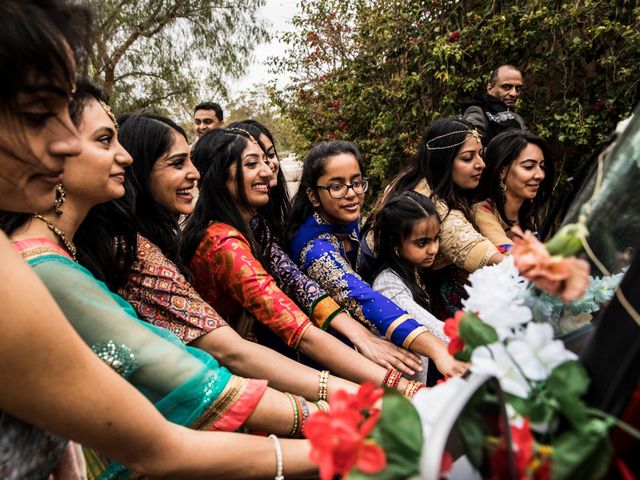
(308,295)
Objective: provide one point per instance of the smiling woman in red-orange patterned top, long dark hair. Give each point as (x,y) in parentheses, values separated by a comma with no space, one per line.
(227,262)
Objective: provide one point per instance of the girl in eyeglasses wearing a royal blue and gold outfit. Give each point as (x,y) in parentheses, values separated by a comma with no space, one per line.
(323,237)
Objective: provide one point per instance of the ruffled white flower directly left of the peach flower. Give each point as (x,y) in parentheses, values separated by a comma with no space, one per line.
(496,293)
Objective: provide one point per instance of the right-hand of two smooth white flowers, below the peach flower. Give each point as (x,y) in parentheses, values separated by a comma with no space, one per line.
(536,352)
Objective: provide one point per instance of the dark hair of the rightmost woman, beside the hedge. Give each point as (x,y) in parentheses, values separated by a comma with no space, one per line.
(499,157)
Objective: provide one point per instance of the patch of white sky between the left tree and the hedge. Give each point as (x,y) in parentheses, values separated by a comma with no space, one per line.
(279,14)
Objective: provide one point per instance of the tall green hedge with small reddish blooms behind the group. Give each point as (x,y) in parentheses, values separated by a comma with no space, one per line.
(378,72)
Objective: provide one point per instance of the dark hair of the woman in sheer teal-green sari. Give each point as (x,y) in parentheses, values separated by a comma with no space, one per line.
(106,238)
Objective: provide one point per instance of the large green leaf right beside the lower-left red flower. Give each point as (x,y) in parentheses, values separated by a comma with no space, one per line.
(399,433)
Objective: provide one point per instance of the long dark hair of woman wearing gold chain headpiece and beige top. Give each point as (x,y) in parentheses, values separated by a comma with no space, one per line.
(445,138)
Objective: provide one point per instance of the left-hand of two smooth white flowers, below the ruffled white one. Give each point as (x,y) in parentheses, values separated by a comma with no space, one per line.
(494,360)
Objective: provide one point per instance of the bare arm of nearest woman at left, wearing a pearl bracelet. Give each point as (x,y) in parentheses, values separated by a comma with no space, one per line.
(51,379)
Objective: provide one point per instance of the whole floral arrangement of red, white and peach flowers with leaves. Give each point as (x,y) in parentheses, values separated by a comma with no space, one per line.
(554,433)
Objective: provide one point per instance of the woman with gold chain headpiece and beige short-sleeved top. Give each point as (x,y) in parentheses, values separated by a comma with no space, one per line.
(447,168)
